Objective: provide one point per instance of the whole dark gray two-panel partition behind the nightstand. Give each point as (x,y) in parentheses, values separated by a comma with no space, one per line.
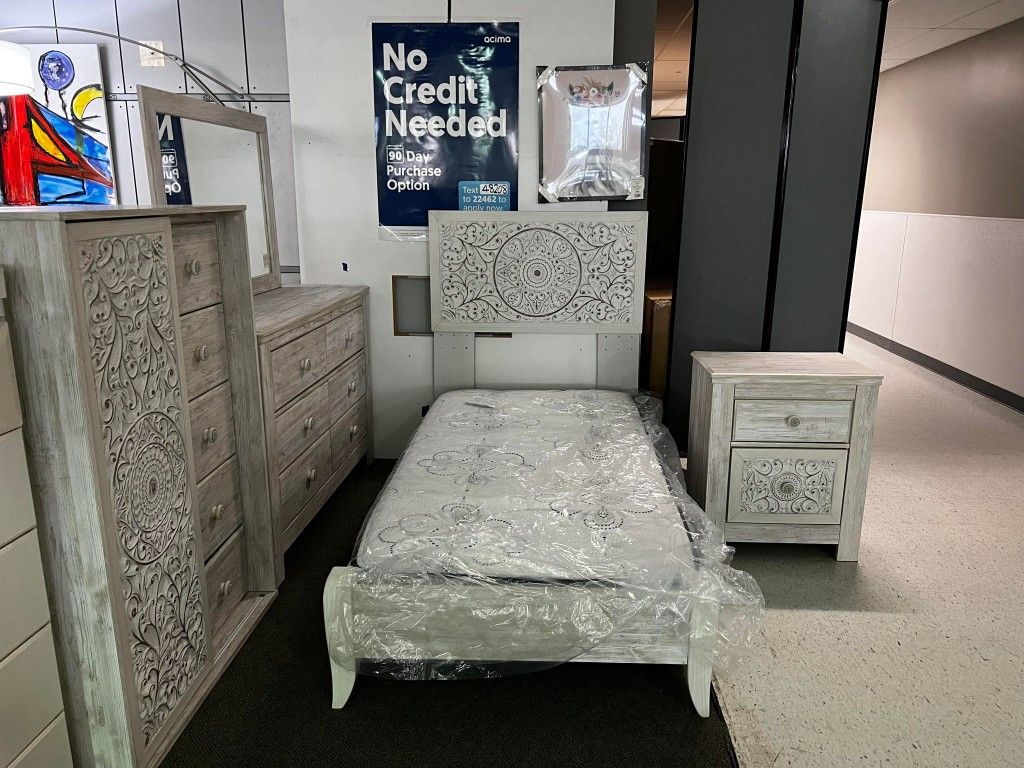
(780,109)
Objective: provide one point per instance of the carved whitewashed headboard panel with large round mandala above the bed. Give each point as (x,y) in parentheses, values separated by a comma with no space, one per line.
(564,273)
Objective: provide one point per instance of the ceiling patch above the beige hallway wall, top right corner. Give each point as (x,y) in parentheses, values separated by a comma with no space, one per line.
(916,28)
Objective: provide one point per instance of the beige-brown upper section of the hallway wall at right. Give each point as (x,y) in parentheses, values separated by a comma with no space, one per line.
(949,134)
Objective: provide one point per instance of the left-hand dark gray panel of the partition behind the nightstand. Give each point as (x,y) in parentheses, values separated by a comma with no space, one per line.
(738,92)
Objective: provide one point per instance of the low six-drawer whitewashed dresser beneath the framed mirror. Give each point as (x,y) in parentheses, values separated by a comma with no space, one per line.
(317,403)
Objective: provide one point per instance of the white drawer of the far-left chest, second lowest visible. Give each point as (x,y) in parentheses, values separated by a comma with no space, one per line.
(29,676)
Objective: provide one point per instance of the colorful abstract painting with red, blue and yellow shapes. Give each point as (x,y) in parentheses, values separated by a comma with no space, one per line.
(56,144)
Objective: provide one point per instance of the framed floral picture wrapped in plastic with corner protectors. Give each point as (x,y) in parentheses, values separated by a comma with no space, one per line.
(593,133)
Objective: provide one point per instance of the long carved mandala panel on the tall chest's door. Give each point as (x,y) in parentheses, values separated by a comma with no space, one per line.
(132,332)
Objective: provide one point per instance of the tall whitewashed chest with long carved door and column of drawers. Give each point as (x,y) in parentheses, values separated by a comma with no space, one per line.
(135,345)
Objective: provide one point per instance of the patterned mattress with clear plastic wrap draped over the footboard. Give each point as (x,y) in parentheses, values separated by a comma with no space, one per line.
(526,529)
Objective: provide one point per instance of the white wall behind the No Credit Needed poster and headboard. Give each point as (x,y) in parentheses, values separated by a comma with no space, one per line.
(330,76)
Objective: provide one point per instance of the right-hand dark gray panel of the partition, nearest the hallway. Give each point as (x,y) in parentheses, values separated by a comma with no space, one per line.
(836,67)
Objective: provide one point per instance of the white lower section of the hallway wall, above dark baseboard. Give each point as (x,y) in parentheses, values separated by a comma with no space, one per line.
(951,287)
